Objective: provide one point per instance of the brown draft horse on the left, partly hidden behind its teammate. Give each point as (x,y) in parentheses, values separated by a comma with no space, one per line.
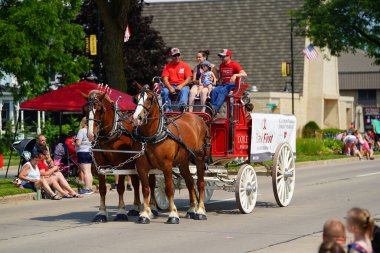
(110,132)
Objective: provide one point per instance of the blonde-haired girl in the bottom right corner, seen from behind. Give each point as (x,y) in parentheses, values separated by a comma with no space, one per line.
(361,225)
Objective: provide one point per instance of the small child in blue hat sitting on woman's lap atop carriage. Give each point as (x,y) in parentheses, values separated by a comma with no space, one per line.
(205,84)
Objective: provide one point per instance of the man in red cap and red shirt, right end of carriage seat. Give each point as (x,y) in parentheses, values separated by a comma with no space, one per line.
(230,74)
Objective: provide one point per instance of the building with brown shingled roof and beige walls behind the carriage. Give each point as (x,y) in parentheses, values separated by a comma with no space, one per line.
(259,35)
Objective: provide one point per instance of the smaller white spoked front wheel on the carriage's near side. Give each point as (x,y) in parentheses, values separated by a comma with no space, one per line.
(246,188)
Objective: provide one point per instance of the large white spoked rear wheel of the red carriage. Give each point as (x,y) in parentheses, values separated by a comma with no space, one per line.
(283,174)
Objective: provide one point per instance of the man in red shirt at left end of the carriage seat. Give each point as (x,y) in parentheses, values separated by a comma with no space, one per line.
(176,75)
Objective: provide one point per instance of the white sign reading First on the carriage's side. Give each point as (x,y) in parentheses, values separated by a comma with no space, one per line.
(268,131)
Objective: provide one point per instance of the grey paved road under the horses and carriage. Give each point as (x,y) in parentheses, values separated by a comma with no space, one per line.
(322,191)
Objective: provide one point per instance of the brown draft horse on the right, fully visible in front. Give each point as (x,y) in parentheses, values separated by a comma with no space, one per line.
(170,142)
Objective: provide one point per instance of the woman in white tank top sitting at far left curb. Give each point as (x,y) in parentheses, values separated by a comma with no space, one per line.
(31,177)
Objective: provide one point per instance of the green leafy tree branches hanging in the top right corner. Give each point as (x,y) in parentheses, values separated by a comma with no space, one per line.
(341,25)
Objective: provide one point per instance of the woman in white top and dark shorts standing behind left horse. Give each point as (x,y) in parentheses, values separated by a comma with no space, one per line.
(83,148)
